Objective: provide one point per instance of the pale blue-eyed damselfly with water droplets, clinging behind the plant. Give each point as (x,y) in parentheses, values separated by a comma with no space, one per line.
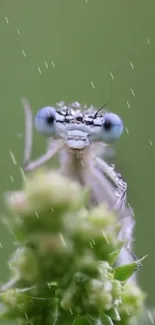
(80,135)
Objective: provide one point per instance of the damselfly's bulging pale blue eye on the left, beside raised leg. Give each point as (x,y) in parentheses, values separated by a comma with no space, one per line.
(45,121)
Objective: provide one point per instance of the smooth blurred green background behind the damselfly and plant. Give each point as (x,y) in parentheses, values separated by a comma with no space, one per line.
(53,50)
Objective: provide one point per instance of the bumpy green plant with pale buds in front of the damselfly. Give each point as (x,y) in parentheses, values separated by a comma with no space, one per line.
(63,269)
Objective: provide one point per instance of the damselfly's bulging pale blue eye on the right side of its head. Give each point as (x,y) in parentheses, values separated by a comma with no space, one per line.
(112,127)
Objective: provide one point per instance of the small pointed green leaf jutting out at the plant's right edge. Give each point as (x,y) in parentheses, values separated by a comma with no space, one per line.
(123,273)
